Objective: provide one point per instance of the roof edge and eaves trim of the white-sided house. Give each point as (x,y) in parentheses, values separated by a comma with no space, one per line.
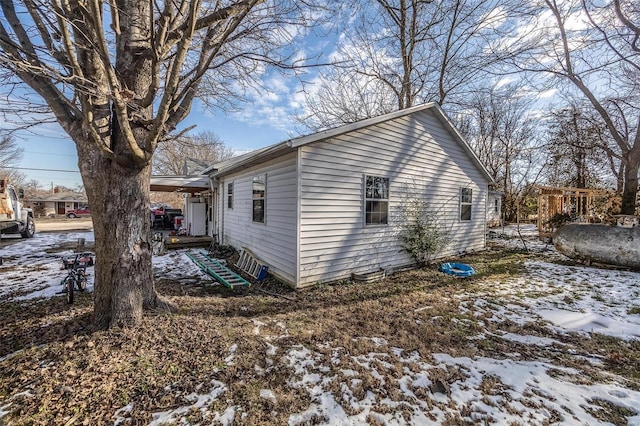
(276,150)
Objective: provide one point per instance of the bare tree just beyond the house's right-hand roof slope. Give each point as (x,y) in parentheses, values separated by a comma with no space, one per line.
(502,129)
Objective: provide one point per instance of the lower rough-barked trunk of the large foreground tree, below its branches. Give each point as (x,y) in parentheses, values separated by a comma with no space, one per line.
(119,202)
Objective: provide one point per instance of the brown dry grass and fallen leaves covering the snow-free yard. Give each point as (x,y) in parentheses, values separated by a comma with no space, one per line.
(72,374)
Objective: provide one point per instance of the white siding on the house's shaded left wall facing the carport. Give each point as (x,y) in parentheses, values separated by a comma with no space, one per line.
(274,241)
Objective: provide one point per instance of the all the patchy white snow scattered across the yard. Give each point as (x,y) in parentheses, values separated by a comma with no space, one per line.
(411,389)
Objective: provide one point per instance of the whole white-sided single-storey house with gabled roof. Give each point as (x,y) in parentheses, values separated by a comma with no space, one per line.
(319,207)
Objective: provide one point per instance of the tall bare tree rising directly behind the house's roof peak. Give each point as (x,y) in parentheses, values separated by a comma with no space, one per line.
(399,53)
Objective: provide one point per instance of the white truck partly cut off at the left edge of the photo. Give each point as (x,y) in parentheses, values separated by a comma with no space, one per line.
(14,218)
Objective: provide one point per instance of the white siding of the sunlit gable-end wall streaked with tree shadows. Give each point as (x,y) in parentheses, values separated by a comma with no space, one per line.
(420,158)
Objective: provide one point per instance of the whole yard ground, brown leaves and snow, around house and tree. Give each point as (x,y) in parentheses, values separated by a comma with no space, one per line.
(418,347)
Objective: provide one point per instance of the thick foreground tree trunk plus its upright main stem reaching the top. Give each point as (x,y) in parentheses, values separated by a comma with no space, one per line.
(124,274)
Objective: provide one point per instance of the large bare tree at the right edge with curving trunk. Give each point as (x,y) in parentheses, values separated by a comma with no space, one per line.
(593,48)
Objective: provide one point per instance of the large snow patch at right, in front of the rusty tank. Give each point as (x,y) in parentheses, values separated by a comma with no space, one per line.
(571,298)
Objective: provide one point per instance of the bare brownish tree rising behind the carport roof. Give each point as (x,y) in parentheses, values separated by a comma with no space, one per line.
(204,149)
